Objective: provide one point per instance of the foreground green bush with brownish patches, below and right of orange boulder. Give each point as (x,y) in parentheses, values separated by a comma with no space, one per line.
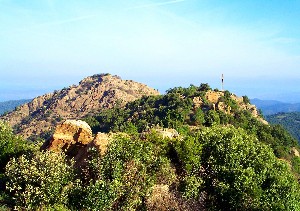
(123,177)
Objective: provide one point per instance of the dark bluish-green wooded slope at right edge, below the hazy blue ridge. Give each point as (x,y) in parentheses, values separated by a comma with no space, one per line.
(290,121)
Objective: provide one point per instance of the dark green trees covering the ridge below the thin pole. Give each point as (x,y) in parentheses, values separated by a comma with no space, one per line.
(176,109)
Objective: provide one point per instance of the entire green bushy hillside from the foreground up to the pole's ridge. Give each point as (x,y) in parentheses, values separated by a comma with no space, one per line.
(224,157)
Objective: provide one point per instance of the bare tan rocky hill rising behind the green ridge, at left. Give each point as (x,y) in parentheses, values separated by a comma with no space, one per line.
(92,95)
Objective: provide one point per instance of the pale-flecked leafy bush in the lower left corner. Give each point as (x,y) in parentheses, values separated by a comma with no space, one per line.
(43,180)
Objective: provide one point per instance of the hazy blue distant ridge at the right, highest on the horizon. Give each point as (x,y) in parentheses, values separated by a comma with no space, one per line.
(269,107)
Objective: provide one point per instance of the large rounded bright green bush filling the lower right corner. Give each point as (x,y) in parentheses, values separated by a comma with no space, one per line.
(242,174)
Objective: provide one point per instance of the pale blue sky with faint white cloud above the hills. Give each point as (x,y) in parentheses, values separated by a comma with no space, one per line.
(46,45)
